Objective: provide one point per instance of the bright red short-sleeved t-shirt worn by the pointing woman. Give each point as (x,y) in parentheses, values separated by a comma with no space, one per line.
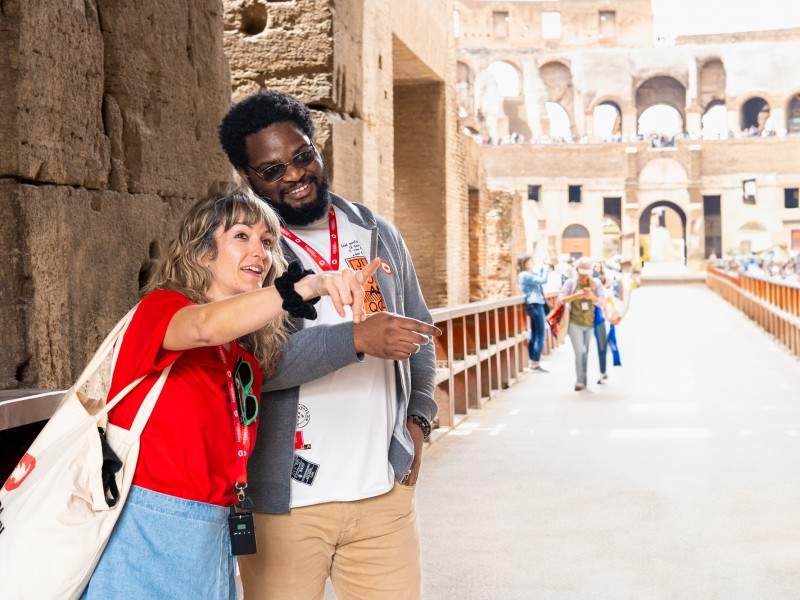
(188,448)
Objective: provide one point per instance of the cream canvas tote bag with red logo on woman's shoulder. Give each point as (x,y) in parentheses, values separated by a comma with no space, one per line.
(55,516)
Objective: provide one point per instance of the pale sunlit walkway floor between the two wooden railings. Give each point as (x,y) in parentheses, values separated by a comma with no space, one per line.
(679,479)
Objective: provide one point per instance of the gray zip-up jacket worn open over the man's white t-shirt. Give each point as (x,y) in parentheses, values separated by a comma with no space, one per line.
(317,351)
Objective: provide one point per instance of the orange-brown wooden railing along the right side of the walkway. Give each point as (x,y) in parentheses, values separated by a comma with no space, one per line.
(773,304)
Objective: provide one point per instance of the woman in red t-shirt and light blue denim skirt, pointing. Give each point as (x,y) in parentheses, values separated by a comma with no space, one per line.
(208,316)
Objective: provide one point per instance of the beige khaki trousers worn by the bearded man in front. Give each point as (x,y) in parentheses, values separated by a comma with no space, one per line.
(369,548)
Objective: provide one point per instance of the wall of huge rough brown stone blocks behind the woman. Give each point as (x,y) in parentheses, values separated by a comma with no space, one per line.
(109,133)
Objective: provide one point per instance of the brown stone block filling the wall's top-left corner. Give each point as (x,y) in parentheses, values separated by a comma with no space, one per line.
(51,68)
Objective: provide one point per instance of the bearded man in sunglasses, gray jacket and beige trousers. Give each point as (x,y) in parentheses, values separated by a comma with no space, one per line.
(346,411)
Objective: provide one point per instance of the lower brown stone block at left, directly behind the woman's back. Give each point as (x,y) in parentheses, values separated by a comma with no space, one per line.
(78,272)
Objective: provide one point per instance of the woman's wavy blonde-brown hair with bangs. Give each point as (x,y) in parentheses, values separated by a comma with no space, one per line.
(182,269)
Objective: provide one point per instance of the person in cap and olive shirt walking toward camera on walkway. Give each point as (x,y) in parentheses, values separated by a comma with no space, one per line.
(581,294)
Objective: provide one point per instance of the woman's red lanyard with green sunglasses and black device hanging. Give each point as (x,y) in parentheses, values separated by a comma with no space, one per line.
(244,410)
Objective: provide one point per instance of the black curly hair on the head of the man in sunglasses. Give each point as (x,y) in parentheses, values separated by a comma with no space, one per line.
(256,112)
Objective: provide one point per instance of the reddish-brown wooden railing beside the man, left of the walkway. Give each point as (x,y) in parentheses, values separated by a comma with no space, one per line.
(483,348)
